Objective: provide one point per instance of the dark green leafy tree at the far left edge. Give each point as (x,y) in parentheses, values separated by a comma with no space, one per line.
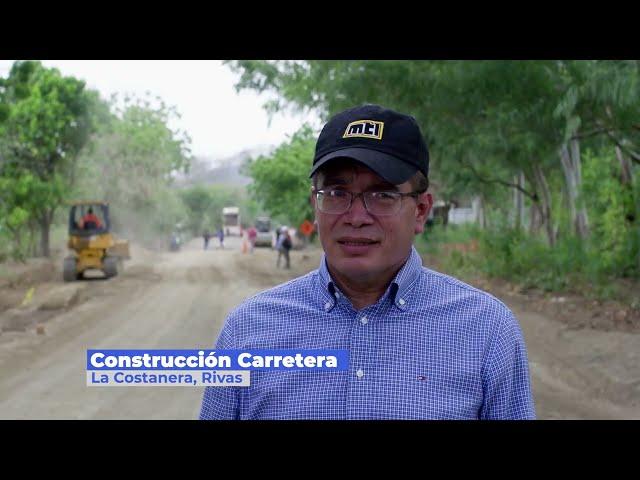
(44,123)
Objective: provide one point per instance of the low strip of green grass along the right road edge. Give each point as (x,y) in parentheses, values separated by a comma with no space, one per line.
(570,267)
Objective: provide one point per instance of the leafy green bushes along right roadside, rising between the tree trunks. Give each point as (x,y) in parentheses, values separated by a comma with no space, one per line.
(588,266)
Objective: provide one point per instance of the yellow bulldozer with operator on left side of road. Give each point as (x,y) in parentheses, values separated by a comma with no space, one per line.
(92,245)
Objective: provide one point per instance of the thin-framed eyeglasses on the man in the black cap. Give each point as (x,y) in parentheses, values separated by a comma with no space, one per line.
(377,203)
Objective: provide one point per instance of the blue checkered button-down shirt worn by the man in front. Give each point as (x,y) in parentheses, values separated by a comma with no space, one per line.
(432,347)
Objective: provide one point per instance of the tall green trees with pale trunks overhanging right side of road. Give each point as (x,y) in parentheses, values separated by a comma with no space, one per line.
(488,124)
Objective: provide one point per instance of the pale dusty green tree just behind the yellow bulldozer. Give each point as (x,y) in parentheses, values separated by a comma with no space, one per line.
(129,163)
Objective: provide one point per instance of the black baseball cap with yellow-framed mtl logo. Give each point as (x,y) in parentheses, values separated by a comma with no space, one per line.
(389,143)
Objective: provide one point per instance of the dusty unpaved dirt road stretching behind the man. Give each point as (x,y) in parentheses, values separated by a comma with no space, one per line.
(179,300)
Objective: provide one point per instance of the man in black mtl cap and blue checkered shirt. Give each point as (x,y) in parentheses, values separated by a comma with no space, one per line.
(422,345)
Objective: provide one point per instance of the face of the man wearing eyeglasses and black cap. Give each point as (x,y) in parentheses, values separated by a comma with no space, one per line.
(357,244)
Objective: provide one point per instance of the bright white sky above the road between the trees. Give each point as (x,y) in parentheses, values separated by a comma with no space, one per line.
(220,121)
